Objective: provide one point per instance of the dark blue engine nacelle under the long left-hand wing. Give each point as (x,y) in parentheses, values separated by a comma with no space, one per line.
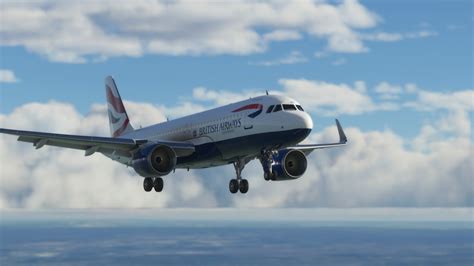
(154,160)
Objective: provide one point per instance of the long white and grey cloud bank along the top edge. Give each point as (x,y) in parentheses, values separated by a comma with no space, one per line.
(77,31)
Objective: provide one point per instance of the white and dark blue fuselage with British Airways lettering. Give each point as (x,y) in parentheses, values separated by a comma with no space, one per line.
(236,130)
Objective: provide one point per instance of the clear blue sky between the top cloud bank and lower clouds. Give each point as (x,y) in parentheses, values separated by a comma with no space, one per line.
(440,62)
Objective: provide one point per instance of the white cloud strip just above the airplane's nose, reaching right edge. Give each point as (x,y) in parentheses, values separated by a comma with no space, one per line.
(332,99)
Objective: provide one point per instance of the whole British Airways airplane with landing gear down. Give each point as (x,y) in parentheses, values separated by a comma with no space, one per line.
(268,128)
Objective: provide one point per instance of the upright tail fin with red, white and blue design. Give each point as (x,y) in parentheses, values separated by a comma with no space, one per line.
(118,118)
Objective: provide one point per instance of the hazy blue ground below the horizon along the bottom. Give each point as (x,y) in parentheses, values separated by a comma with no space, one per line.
(238,237)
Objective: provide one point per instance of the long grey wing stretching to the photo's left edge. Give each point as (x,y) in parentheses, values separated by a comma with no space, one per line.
(90,144)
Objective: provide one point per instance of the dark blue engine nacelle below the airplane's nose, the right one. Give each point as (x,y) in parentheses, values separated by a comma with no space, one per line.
(288,165)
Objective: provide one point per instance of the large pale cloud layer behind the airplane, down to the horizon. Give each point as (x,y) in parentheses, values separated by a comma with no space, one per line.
(377,168)
